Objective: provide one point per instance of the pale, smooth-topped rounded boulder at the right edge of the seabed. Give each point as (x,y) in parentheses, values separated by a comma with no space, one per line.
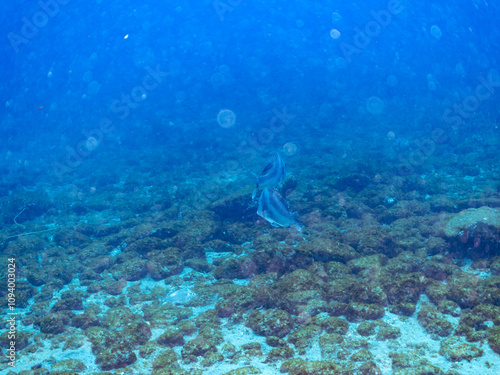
(473,220)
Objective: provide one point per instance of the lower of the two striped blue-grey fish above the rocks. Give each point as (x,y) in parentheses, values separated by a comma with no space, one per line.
(275,209)
